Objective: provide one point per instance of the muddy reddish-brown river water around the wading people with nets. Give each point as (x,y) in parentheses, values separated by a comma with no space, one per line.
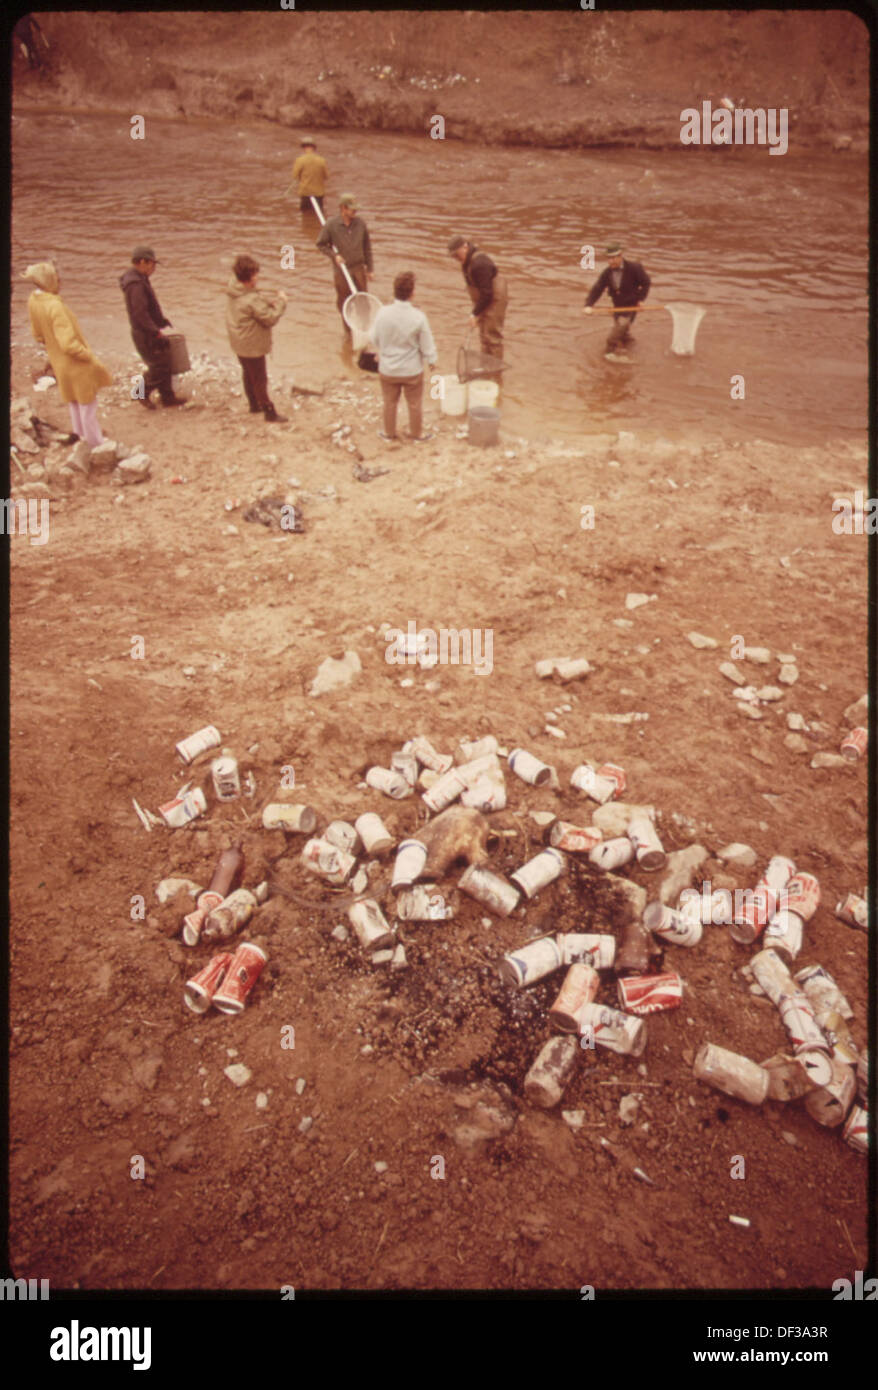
(775,247)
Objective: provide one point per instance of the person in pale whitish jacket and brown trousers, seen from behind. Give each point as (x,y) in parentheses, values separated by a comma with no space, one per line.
(405,345)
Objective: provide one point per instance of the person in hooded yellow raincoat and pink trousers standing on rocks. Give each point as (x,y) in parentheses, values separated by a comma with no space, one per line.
(78,372)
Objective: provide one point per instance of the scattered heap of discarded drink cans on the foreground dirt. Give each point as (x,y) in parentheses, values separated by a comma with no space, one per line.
(825,1067)
